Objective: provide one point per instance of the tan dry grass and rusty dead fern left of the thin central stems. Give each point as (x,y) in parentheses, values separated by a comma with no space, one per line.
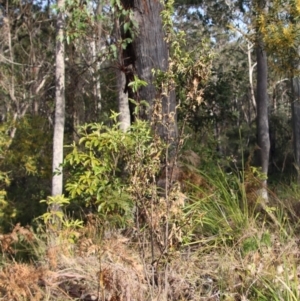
(108,271)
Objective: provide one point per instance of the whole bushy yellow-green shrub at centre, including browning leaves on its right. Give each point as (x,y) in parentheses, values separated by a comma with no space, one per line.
(104,164)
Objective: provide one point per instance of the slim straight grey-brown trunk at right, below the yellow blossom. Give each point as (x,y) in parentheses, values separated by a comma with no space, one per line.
(263,137)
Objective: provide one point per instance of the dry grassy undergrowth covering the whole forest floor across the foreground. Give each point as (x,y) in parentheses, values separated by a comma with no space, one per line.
(258,262)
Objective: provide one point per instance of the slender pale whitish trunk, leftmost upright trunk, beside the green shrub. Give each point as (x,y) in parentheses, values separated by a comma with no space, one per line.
(59,123)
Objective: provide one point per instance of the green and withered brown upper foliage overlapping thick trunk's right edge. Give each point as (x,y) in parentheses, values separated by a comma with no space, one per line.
(189,70)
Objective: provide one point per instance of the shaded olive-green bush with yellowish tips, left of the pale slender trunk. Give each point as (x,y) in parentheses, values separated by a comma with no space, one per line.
(27,162)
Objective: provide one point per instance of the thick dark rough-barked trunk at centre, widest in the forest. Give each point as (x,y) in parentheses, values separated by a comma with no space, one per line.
(150,52)
